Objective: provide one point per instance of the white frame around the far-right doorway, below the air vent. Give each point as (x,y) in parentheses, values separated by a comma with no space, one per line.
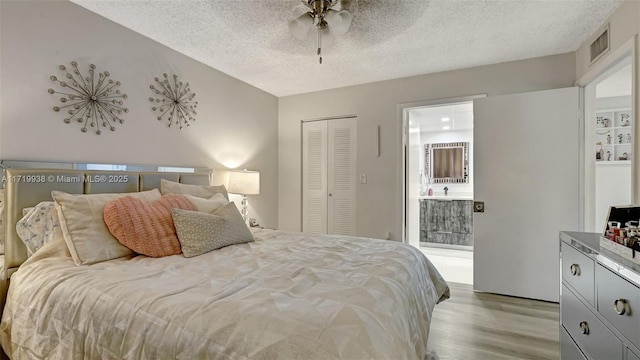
(603,68)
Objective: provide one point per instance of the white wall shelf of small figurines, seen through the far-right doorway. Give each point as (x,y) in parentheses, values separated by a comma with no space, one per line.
(614,136)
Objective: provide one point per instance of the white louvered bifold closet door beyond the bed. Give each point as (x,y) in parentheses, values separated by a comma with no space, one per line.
(329,176)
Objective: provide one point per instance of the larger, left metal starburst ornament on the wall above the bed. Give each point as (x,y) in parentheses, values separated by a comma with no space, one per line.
(91,101)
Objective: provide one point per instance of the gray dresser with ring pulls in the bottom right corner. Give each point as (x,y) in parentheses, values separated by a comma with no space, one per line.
(599,301)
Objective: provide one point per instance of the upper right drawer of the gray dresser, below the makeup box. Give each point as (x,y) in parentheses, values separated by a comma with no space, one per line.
(612,288)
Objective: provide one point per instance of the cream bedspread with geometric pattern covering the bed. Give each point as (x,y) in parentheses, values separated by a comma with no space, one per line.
(284,296)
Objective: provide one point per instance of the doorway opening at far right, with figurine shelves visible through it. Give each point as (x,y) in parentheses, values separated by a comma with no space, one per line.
(610,165)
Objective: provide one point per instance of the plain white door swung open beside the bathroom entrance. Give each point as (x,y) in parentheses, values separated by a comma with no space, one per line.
(526,161)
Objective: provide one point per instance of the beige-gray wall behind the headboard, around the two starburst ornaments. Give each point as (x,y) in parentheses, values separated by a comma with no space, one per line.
(236,125)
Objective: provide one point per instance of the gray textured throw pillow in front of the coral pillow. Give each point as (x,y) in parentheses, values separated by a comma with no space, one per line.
(200,232)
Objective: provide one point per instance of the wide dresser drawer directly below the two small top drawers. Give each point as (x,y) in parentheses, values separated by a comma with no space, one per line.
(596,340)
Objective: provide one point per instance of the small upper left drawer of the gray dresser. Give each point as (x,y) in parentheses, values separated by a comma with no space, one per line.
(577,271)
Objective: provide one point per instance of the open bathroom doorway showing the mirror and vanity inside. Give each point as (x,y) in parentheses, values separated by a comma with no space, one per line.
(438,172)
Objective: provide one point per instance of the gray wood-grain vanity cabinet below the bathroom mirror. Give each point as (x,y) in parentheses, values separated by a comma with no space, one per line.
(446,220)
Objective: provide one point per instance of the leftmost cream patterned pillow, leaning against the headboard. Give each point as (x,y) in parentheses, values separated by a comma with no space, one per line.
(39,226)
